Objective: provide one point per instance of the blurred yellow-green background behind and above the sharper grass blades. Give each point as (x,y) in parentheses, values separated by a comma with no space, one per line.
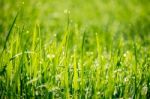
(101,15)
